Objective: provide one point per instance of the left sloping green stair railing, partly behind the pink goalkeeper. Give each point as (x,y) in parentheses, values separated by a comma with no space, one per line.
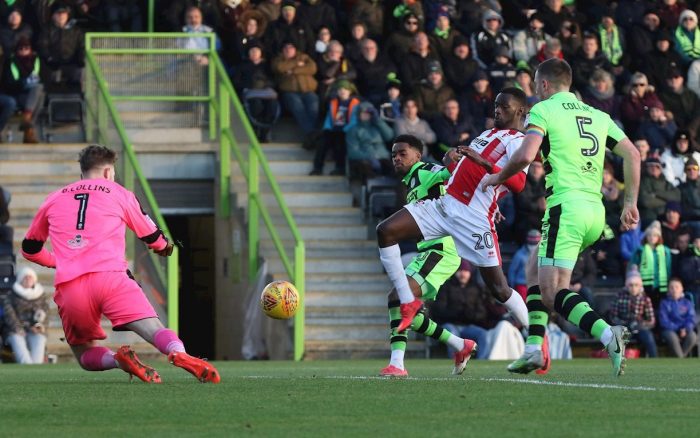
(103,125)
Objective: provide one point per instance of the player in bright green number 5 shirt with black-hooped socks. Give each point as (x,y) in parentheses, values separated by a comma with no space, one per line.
(573,137)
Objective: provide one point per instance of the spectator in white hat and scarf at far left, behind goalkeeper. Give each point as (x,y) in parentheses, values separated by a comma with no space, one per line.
(24,320)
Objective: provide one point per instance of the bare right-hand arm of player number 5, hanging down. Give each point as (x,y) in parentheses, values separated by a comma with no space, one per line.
(631,168)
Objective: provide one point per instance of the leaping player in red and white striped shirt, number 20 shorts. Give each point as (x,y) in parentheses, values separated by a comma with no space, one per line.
(465,212)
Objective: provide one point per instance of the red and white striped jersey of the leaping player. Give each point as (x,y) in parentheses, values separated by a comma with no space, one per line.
(496,146)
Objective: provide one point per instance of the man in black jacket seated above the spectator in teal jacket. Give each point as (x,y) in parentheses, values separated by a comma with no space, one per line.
(373,68)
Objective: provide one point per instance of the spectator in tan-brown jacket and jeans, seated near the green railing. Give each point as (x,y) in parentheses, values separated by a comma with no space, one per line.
(294,73)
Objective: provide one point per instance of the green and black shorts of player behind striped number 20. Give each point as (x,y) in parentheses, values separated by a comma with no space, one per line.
(436,262)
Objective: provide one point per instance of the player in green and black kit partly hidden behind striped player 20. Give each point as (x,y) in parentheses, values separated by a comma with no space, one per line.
(436,262)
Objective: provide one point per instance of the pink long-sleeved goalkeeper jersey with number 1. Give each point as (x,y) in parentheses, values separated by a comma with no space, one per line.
(86,223)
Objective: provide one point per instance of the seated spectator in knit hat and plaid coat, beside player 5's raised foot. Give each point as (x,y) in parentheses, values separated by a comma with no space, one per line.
(634,310)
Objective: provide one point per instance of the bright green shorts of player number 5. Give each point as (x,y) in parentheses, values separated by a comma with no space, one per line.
(569,228)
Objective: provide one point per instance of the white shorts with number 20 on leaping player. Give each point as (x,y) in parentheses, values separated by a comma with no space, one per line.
(474,235)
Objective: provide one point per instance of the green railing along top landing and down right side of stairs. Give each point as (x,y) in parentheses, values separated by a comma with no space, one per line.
(155,71)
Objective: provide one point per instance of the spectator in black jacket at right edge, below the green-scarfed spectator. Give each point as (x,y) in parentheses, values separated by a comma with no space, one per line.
(682,103)
